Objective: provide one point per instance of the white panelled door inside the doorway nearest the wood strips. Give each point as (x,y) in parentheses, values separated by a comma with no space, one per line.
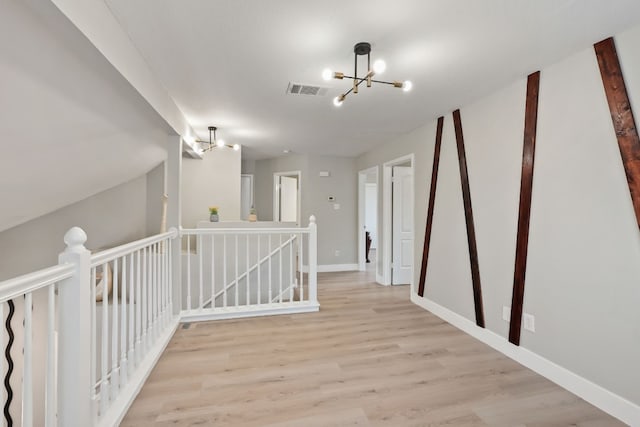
(402,228)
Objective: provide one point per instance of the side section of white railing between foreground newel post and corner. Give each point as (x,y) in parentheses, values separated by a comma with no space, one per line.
(131,320)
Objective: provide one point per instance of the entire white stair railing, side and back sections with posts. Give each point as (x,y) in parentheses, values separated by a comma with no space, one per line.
(108,316)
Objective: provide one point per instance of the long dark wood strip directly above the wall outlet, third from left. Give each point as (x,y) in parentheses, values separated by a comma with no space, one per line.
(524,213)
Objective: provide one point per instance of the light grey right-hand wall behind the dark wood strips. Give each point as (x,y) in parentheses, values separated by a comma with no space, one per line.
(583,267)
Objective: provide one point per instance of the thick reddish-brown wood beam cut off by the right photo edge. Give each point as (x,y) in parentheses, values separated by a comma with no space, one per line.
(622,116)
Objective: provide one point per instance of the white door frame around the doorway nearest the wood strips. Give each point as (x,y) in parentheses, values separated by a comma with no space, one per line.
(387,229)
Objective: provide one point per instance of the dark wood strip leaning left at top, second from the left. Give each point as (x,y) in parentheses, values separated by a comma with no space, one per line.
(468,213)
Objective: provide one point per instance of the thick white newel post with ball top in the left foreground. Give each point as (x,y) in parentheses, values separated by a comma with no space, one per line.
(74,334)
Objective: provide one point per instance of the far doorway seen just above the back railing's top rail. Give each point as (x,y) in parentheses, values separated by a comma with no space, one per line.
(286,197)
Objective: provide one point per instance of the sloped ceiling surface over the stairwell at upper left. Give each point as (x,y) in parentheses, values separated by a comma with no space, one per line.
(70,125)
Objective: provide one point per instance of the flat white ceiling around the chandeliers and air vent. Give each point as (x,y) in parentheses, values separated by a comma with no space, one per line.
(228,63)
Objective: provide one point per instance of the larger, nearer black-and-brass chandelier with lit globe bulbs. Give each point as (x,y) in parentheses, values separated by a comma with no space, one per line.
(360,49)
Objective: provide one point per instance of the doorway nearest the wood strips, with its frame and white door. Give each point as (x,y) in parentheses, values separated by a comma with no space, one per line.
(398,224)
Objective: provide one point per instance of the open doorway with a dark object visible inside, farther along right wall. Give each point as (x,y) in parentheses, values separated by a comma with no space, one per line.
(368,185)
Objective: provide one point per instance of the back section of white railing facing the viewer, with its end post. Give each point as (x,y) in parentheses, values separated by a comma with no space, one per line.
(238,272)
